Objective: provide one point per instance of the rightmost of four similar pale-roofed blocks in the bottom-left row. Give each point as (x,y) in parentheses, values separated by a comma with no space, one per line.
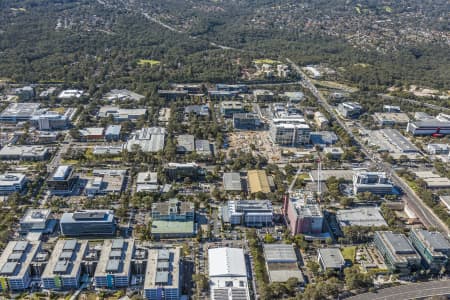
(163,274)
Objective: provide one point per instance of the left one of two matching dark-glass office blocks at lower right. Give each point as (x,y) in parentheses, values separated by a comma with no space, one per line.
(398,253)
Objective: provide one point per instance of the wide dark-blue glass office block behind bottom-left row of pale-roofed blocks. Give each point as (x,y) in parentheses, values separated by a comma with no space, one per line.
(88,223)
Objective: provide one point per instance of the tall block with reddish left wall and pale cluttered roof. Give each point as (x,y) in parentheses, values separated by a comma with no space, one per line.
(303,214)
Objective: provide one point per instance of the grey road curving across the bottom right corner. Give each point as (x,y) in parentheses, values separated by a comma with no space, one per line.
(409,291)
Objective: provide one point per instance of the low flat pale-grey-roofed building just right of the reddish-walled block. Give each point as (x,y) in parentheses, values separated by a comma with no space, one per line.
(360,216)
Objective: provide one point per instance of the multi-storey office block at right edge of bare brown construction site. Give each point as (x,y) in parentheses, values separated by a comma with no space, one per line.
(288,134)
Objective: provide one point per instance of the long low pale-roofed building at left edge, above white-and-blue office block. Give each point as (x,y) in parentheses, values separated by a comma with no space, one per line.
(24,152)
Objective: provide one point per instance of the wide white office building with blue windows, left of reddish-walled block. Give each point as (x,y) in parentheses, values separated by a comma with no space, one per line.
(251,213)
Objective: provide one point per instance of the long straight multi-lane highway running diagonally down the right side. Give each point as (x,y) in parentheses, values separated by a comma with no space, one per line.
(425,214)
